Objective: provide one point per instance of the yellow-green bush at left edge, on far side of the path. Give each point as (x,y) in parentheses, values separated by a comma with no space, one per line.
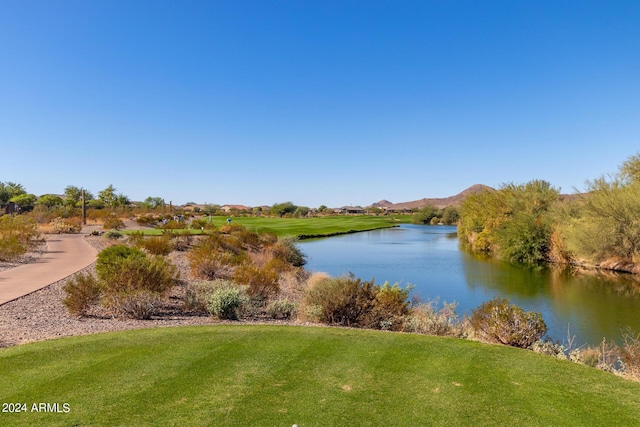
(17,235)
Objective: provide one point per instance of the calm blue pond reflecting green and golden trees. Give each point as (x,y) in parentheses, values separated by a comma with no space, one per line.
(590,305)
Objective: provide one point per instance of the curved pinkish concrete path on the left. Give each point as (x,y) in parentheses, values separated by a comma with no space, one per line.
(66,254)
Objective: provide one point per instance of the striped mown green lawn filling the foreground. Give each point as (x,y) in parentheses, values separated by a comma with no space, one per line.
(239,375)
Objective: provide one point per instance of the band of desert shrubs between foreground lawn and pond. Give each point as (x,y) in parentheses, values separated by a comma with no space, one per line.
(233,274)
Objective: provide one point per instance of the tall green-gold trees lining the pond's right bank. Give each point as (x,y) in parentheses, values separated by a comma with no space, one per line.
(533,223)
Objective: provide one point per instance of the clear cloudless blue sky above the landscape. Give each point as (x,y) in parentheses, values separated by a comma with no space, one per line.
(315,102)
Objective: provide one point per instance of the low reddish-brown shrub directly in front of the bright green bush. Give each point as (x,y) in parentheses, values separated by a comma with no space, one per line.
(138,304)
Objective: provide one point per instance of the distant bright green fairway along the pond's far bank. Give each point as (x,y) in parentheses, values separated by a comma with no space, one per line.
(306,227)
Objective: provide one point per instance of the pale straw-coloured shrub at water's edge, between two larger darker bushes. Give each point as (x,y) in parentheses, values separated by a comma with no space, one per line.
(428,318)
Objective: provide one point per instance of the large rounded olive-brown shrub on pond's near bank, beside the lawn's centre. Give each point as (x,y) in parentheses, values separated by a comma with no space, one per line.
(343,300)
